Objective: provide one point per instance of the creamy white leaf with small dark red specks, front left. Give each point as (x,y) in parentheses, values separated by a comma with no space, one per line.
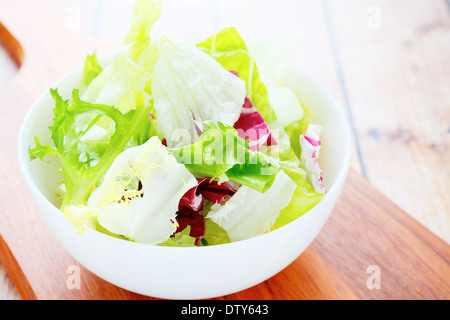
(144,211)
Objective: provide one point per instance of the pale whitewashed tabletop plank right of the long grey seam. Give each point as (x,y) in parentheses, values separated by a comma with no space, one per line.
(397,71)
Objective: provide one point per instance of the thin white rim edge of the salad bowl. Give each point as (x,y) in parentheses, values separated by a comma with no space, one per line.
(333,191)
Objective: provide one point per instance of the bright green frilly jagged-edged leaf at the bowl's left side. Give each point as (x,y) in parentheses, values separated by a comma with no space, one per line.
(81,173)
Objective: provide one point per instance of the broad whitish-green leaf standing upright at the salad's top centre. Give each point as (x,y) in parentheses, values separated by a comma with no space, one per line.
(188,84)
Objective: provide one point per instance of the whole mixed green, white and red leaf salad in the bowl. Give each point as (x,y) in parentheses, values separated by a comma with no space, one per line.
(178,144)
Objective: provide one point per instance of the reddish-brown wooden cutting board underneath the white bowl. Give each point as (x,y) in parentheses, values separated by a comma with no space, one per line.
(369,248)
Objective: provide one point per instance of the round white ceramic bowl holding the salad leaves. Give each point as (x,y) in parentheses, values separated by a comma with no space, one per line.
(213,271)
